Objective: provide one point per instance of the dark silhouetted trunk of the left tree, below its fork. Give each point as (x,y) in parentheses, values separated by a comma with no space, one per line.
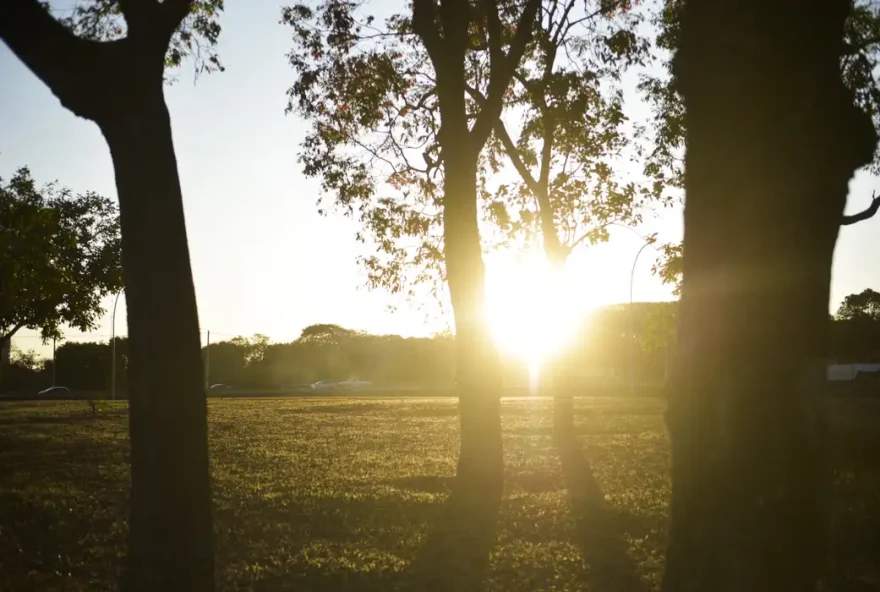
(170,530)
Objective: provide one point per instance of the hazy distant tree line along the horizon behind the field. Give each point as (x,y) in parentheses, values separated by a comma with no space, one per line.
(614,340)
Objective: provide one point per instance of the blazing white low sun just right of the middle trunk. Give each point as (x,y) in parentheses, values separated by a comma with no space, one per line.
(533,309)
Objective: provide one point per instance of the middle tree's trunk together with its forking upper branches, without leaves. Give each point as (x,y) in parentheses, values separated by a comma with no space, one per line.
(481,462)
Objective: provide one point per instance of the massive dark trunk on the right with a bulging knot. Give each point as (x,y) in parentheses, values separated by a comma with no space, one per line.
(772,141)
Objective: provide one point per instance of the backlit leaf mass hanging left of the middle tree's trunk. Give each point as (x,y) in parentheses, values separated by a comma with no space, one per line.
(367,90)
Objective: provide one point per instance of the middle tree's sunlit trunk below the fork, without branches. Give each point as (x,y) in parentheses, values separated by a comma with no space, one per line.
(481,462)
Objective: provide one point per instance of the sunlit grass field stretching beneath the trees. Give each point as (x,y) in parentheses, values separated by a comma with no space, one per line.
(353,494)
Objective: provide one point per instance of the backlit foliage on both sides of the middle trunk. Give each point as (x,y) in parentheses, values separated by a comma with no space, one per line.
(370,92)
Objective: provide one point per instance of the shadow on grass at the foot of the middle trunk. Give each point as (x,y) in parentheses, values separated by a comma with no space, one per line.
(455,555)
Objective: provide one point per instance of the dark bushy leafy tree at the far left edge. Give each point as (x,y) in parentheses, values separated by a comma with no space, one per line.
(59,255)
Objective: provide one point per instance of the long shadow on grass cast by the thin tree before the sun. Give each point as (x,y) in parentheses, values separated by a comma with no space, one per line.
(599,529)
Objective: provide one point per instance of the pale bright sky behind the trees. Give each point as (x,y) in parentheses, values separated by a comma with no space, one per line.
(263,259)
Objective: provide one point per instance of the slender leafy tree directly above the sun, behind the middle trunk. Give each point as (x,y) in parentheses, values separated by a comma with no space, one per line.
(571,140)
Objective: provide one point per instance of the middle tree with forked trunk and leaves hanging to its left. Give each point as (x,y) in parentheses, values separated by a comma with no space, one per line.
(396,93)
